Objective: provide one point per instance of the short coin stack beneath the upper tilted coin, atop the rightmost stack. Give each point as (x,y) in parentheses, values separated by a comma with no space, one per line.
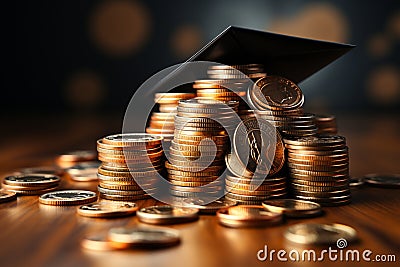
(290,124)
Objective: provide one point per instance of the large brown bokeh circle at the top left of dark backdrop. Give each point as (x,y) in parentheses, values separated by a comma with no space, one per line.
(120,27)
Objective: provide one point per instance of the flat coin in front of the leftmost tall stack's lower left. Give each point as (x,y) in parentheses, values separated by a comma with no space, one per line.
(107,209)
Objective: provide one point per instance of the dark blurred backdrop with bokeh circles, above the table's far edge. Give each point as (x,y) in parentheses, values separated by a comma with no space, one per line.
(90,56)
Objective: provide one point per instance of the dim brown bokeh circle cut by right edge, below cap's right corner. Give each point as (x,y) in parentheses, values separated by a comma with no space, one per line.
(384,85)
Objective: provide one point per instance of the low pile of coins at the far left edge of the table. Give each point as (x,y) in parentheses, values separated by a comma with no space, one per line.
(31,184)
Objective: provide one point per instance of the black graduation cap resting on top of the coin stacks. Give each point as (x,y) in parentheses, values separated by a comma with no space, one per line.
(292,57)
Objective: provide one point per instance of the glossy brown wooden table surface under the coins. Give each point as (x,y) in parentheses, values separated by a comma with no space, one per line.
(32,234)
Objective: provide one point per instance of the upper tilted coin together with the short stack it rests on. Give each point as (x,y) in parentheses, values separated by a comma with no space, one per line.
(279,101)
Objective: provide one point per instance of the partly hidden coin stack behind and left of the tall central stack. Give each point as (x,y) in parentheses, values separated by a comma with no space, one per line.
(162,122)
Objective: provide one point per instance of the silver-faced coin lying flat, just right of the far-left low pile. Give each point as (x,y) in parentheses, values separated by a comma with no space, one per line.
(68,197)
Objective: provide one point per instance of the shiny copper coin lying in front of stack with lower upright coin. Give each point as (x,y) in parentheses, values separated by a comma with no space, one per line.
(248,216)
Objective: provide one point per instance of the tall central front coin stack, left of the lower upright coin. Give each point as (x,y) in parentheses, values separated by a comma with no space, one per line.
(200,142)
